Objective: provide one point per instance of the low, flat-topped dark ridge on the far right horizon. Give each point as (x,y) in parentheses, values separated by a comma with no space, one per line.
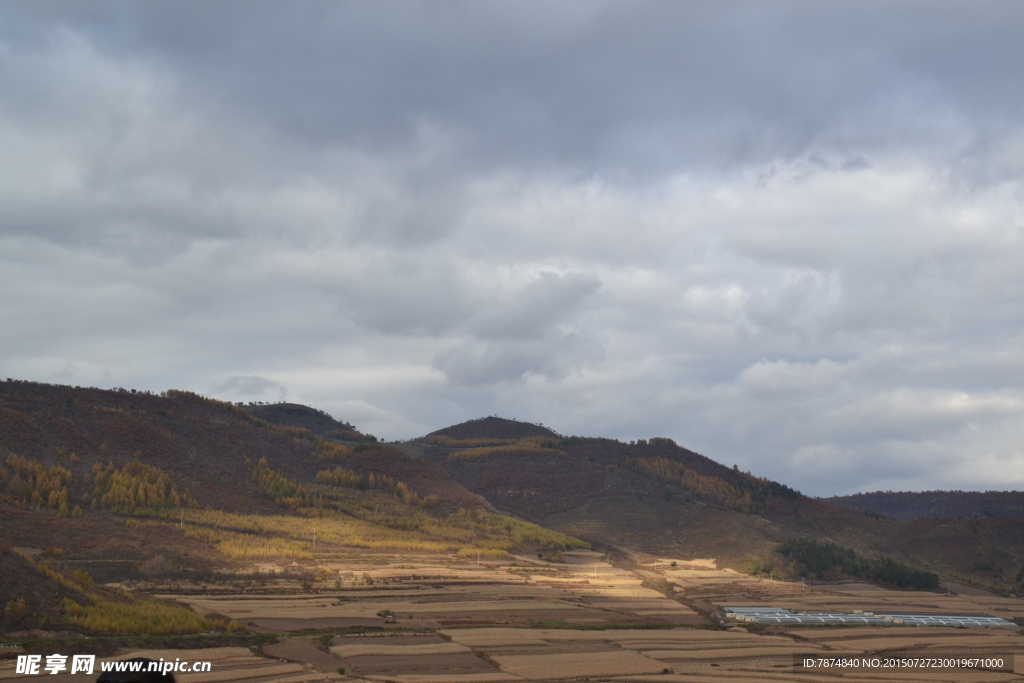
(906,506)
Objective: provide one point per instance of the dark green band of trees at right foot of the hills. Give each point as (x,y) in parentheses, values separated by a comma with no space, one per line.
(829,561)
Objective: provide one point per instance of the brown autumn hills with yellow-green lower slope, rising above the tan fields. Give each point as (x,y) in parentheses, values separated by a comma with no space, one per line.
(73,461)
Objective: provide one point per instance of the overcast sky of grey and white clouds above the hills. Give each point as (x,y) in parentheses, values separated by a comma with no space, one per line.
(788,235)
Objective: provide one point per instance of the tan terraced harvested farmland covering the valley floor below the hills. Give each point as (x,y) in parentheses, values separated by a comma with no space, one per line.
(437,619)
